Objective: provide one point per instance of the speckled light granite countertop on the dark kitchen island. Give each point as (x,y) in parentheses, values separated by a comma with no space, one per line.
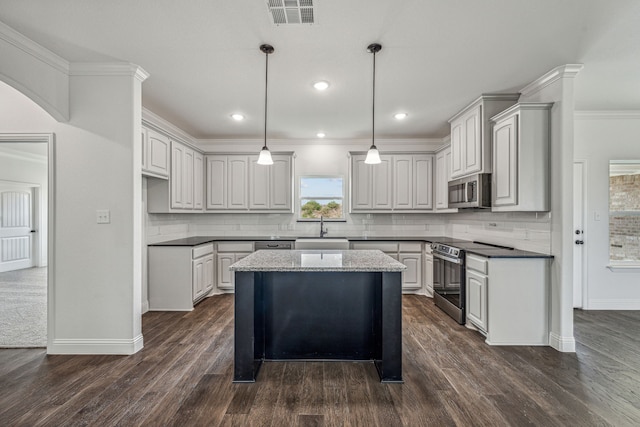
(318,260)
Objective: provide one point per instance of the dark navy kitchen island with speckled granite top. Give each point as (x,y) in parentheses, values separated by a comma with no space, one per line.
(318,305)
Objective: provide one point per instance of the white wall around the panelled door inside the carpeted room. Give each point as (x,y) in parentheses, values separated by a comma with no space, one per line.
(31,168)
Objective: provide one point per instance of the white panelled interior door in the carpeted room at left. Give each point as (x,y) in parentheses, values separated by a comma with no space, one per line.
(16,219)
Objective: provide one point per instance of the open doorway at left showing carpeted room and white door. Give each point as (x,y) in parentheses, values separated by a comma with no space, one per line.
(26,225)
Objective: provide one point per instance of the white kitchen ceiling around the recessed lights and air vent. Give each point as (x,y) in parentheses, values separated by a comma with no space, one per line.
(437,56)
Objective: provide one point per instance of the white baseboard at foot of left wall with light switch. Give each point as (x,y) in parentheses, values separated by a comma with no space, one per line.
(96,346)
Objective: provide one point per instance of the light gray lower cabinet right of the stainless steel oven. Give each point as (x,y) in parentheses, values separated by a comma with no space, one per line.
(508,299)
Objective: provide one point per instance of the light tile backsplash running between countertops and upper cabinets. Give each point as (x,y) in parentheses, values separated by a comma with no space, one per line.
(527,231)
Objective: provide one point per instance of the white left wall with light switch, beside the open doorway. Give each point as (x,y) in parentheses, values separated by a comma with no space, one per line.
(95,276)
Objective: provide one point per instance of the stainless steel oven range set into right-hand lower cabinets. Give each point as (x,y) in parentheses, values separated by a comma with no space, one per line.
(449,280)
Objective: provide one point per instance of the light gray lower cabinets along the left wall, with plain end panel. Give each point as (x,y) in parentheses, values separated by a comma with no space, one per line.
(179,276)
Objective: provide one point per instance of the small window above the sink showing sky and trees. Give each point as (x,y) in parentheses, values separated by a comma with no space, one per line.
(321,196)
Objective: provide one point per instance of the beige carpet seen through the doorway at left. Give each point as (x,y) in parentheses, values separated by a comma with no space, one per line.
(23,308)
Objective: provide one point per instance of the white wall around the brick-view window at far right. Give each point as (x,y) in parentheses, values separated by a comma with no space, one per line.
(600,137)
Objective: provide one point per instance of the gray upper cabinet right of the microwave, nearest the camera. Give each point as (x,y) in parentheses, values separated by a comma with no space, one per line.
(520,179)
